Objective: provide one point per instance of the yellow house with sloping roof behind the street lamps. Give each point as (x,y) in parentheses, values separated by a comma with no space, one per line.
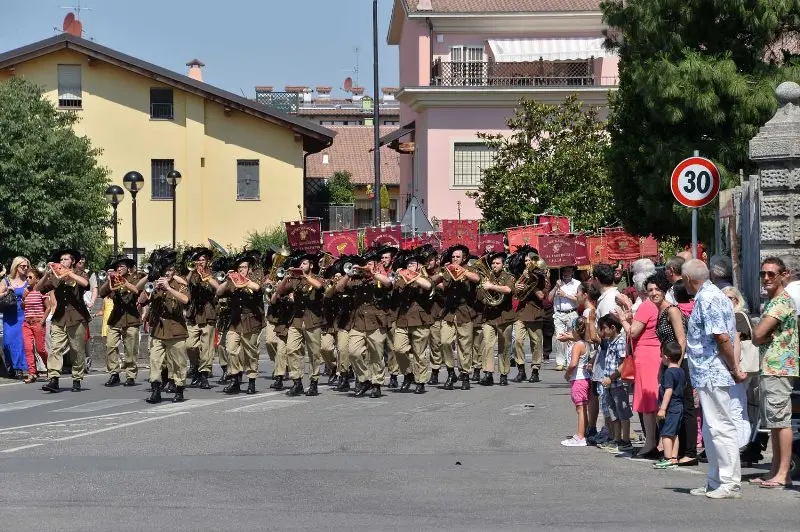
(242,163)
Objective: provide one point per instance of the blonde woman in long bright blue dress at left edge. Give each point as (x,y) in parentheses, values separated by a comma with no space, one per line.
(14,317)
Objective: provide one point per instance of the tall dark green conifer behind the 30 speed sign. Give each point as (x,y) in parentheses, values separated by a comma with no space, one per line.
(694,75)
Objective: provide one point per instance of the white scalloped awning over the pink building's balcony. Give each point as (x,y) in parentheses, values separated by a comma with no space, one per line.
(520,50)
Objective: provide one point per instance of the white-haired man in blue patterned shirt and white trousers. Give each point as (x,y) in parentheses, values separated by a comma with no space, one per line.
(713,369)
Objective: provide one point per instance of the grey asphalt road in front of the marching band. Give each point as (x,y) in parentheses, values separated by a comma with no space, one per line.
(484,459)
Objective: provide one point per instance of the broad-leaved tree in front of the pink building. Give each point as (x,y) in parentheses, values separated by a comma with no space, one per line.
(553,162)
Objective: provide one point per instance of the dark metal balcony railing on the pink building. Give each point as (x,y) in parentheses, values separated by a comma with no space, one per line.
(527,74)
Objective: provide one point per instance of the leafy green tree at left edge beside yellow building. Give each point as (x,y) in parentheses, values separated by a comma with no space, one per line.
(51,185)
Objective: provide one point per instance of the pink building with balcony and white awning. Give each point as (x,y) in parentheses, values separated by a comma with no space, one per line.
(464,65)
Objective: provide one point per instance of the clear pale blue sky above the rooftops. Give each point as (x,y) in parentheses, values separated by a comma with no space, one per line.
(243,43)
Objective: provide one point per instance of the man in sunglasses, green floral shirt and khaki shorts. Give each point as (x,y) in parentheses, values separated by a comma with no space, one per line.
(776,334)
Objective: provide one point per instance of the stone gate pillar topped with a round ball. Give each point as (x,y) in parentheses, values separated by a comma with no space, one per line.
(776,151)
